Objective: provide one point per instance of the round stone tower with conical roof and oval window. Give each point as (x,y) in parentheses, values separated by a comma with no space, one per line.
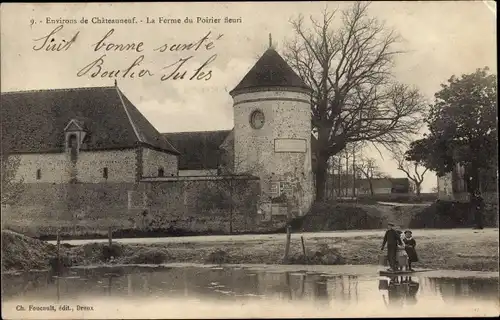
(272,131)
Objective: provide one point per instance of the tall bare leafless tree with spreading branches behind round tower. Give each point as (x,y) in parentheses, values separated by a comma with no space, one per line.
(355,97)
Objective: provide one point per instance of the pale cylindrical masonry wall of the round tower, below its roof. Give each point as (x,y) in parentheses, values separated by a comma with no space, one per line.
(282,147)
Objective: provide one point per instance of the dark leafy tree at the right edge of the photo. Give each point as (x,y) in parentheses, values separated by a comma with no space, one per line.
(463,129)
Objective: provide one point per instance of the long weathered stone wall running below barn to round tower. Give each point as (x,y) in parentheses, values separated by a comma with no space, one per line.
(192,204)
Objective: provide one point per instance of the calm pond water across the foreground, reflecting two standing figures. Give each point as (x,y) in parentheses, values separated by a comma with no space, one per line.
(229,292)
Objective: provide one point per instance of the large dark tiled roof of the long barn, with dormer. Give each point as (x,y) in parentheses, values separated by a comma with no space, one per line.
(35,120)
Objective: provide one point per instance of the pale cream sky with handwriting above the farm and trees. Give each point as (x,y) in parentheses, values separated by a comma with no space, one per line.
(440,39)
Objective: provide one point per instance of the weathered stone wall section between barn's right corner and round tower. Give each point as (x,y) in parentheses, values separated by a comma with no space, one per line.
(204,203)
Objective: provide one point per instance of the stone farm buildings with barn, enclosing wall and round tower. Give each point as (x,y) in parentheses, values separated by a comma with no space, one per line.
(90,160)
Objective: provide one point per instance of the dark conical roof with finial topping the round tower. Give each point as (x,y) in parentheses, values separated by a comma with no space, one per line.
(271,70)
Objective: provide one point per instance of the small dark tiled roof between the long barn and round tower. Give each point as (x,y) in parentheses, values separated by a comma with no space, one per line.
(199,150)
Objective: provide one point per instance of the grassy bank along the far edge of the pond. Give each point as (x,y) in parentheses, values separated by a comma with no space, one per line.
(455,250)
